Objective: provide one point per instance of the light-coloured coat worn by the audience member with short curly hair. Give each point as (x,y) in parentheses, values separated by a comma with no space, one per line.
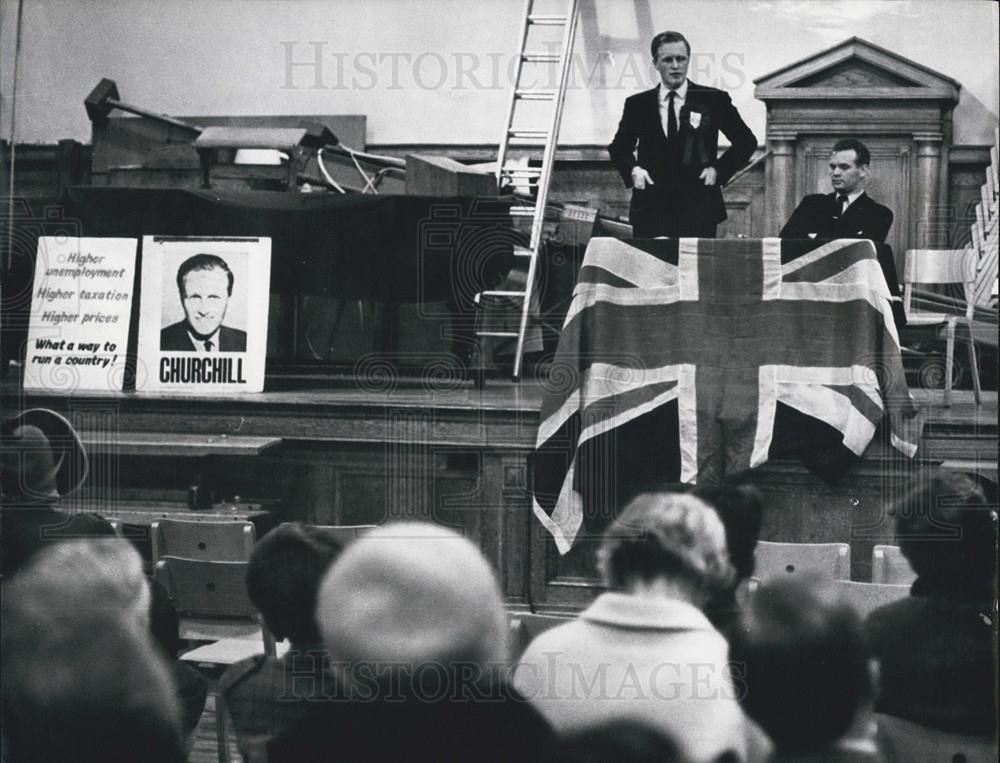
(656,660)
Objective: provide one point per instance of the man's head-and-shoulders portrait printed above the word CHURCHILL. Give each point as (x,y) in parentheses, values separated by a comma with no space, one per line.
(205,283)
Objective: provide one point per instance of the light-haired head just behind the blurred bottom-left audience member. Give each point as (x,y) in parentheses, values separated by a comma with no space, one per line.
(94,573)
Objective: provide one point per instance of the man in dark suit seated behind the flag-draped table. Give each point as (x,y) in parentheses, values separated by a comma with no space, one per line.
(847,212)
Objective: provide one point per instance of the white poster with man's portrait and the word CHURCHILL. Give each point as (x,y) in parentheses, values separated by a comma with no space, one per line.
(203,314)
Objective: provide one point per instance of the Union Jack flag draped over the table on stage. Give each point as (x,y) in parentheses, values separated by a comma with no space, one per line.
(701,358)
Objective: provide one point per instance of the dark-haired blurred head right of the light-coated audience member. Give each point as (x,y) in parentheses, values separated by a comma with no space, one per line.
(805,663)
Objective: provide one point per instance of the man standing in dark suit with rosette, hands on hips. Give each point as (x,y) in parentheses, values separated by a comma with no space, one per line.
(677,175)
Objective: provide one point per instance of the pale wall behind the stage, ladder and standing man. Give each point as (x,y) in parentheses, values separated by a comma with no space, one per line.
(434,71)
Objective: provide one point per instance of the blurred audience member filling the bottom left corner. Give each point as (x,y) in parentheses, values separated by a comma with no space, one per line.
(82,685)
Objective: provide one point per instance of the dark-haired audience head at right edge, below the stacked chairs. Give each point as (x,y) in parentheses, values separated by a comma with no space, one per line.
(947,531)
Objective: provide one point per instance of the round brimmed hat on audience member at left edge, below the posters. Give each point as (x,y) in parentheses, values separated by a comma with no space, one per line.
(41,457)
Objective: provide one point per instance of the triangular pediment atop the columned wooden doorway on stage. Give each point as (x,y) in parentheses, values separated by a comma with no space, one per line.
(856,68)
